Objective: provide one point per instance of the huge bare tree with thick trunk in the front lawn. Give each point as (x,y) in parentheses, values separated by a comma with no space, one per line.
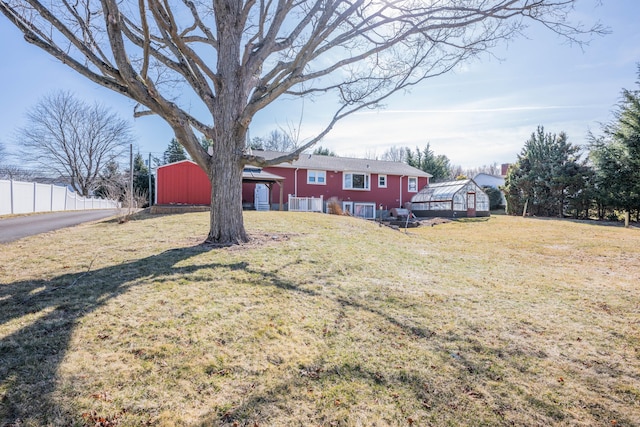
(239,56)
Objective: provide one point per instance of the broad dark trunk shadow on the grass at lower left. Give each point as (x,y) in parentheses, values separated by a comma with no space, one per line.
(41,315)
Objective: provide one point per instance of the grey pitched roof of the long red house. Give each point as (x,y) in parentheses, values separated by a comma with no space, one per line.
(345,164)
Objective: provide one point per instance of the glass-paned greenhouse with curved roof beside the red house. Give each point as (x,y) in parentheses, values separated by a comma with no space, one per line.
(463,198)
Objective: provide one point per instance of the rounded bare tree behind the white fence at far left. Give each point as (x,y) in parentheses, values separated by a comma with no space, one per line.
(73,139)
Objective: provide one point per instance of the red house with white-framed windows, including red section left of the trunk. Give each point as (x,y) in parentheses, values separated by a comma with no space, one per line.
(361,185)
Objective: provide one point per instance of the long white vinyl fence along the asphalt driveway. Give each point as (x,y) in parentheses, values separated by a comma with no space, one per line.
(18,197)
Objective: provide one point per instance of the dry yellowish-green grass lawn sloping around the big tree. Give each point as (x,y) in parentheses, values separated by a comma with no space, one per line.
(322,321)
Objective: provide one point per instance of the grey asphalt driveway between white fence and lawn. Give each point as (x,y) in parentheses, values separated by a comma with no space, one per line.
(22,226)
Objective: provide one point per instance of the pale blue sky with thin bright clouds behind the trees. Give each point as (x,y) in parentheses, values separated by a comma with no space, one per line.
(479,114)
